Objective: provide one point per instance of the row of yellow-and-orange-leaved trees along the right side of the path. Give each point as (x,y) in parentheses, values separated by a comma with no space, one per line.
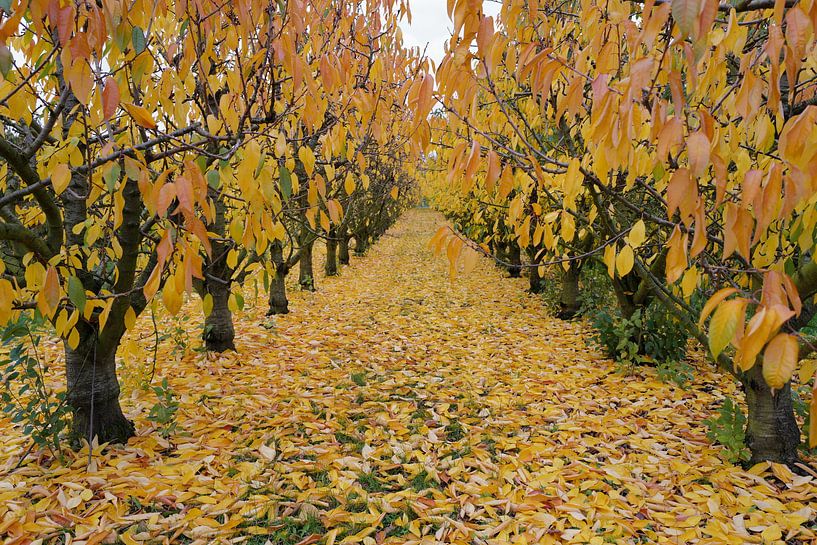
(674,142)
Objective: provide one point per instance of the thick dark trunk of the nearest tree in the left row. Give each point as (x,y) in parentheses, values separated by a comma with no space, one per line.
(93,392)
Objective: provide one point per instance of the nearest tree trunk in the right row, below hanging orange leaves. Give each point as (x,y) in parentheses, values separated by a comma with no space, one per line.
(772,433)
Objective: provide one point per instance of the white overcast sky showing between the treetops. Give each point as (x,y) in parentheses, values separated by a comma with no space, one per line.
(430,25)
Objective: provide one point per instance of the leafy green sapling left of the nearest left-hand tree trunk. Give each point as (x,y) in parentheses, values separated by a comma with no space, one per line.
(25,396)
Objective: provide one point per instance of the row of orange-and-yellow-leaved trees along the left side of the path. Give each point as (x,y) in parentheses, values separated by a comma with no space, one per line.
(154,149)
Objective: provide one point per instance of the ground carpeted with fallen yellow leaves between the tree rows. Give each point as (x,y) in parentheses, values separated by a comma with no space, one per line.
(394,407)
